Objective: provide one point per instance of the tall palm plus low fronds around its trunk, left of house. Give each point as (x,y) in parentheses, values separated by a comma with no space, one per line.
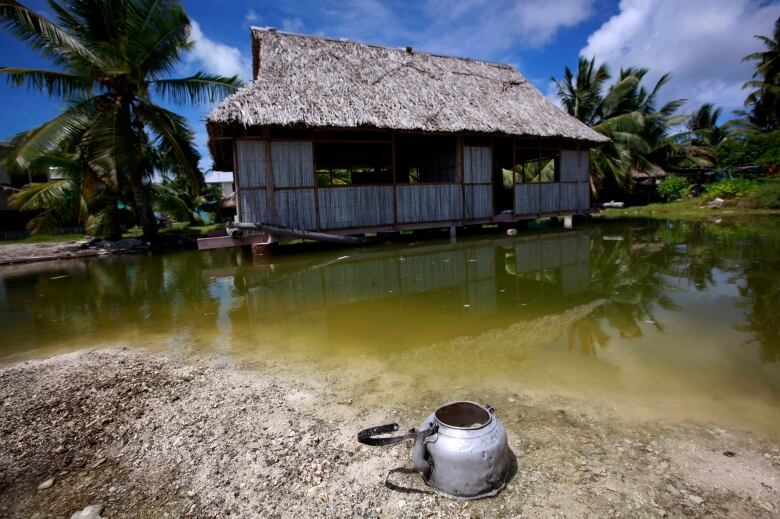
(111,58)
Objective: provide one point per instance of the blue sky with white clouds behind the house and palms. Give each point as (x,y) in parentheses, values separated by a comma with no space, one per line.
(699,41)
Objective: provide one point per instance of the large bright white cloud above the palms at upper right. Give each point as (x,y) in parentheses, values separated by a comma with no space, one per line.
(701,42)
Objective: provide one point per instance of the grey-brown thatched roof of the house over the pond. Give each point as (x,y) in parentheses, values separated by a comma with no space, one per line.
(319,82)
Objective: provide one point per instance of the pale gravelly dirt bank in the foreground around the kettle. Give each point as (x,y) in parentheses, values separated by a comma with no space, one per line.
(147,436)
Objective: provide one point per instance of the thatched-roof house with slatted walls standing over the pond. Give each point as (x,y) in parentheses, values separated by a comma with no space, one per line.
(331,130)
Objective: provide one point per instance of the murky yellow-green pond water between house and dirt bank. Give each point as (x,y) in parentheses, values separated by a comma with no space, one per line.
(660,320)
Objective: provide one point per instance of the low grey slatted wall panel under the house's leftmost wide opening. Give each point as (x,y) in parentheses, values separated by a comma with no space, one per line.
(356,206)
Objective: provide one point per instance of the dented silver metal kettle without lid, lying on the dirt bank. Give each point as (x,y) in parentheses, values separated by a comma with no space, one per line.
(460,450)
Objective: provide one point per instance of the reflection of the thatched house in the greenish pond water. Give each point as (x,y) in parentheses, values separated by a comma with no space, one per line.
(415,295)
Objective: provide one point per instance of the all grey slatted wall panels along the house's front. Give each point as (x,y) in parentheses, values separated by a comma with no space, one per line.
(292,170)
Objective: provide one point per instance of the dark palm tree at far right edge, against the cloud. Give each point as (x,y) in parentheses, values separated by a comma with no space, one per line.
(764,99)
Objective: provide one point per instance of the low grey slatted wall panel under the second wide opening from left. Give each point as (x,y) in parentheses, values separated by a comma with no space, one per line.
(429,203)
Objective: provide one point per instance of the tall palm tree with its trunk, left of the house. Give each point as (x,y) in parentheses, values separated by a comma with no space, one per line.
(110,58)
